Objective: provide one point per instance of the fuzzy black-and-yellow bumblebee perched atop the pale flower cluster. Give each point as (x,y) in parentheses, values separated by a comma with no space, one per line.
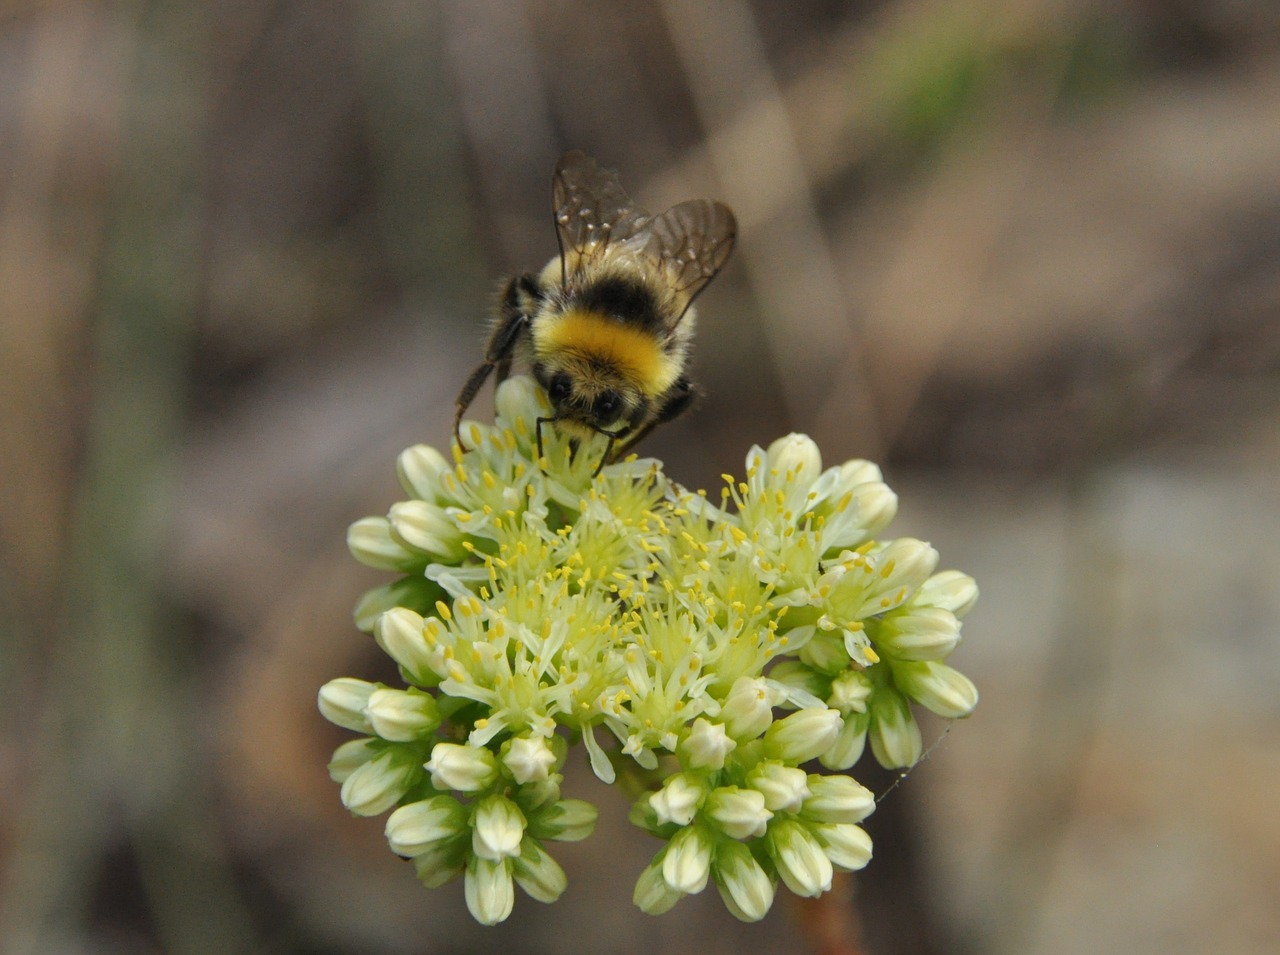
(606,326)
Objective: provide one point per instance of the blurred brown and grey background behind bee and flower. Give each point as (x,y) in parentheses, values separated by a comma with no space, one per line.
(1026,254)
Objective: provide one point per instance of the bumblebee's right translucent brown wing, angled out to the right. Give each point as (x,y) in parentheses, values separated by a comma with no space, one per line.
(692,243)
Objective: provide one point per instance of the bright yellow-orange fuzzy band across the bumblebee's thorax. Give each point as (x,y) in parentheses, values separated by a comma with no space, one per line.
(592,336)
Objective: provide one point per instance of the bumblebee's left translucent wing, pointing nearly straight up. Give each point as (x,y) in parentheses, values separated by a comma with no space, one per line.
(592,212)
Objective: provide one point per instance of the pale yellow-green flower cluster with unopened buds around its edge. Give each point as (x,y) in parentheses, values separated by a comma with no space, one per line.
(705,650)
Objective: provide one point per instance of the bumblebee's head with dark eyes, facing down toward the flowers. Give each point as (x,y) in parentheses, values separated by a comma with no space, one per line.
(589,395)
